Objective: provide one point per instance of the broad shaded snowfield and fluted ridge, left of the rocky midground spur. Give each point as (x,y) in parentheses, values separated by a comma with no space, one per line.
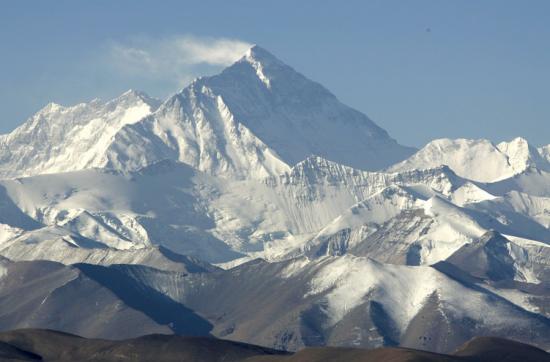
(194,213)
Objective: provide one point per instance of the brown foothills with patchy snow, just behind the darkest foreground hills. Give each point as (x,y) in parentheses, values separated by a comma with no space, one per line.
(344,301)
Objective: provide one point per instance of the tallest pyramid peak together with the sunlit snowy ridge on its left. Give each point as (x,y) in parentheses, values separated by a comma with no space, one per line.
(257,118)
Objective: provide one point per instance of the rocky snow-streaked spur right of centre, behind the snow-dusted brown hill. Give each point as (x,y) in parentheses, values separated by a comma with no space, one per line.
(401,226)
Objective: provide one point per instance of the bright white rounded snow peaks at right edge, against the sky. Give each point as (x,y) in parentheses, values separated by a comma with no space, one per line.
(477,160)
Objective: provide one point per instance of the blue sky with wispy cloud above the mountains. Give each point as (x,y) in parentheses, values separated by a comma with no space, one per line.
(420,69)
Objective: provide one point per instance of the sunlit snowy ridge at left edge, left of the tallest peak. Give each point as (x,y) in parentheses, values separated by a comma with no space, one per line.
(60,139)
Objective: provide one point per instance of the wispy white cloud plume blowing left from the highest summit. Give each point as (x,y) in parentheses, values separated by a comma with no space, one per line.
(176,58)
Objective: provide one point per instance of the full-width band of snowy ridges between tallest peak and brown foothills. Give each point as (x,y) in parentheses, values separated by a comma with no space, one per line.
(315,205)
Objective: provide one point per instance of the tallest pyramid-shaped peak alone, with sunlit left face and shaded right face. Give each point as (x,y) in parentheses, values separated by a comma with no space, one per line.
(255,119)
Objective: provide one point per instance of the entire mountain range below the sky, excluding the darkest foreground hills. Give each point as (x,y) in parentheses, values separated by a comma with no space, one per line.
(256,207)
